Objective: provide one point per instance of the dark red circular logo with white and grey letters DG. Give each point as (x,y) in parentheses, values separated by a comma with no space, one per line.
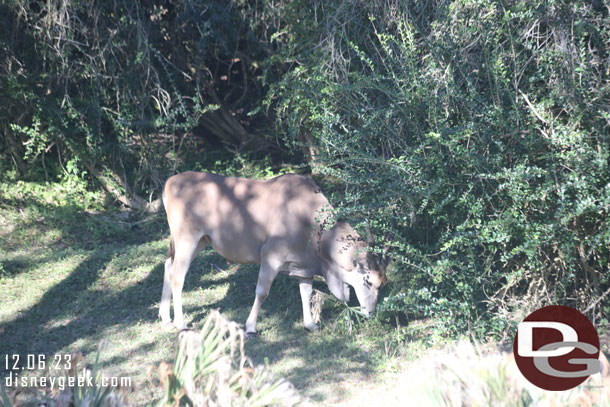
(556,348)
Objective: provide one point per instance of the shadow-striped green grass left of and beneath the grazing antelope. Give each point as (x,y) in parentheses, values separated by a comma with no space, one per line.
(72,277)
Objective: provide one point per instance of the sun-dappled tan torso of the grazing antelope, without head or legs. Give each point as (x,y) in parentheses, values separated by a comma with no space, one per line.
(239,215)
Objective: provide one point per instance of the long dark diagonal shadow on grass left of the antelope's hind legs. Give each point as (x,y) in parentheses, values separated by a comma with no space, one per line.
(71,310)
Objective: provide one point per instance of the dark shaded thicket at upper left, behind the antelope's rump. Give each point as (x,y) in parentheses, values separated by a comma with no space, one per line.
(130,92)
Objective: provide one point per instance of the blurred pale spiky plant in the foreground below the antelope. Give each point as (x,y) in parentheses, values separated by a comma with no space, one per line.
(211,368)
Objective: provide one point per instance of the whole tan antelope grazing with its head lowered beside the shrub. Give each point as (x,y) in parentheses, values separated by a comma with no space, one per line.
(278,223)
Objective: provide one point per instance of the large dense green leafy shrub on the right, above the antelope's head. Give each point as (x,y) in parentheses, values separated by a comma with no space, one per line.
(481,129)
